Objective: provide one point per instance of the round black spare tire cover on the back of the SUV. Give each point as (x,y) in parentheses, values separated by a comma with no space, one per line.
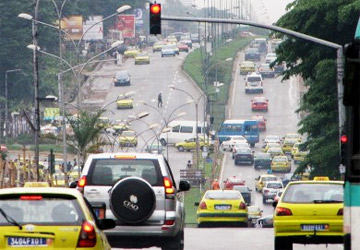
(132,200)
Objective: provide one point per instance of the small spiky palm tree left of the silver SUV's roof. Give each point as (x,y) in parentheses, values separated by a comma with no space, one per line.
(86,136)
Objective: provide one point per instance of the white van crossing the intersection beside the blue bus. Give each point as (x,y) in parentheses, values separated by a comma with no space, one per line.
(181,130)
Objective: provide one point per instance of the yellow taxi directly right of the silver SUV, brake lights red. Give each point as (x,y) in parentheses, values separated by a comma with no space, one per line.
(221,206)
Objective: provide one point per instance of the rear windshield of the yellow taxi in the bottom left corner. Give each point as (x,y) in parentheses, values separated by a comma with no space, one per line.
(44,210)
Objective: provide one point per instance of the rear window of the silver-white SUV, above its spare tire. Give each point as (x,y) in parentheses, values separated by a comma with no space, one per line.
(106,172)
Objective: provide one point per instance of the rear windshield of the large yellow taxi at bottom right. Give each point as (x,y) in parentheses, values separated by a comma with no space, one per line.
(314,193)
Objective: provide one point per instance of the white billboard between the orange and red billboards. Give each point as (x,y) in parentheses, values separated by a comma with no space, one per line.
(95,32)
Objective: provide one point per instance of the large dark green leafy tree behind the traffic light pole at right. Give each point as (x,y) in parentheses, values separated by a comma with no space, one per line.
(334,21)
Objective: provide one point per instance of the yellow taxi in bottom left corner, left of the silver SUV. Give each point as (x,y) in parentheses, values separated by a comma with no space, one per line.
(49,218)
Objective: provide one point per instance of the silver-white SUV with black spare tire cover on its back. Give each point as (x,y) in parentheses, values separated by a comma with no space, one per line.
(139,192)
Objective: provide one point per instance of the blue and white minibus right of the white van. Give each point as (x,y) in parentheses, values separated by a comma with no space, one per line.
(247,128)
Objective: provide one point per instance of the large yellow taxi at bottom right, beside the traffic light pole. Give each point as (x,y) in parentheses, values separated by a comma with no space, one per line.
(309,212)
